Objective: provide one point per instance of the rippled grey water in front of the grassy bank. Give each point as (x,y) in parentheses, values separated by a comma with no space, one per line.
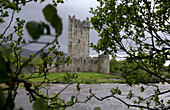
(101,90)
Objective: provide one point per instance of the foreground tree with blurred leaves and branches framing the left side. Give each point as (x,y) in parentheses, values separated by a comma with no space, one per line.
(12,62)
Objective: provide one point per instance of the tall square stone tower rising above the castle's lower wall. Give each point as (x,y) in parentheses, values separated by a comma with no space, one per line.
(78,38)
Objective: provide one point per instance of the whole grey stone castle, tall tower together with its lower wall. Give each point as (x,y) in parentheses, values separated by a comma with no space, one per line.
(78,50)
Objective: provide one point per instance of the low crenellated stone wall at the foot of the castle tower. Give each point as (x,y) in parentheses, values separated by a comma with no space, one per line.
(85,64)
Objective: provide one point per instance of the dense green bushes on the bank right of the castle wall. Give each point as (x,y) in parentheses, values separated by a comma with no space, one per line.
(131,72)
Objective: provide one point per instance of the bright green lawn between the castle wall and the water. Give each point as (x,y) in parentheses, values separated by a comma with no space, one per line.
(82,78)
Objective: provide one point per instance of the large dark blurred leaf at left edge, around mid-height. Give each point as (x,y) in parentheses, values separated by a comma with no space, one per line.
(5,67)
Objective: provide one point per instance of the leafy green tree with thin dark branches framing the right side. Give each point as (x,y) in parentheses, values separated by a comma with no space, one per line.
(140,29)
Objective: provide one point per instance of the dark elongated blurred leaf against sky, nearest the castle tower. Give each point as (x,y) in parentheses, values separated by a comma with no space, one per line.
(50,14)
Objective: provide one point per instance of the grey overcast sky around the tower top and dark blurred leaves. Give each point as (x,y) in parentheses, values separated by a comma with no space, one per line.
(79,8)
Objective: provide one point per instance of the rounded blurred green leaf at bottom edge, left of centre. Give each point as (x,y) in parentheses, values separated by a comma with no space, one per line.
(40,104)
